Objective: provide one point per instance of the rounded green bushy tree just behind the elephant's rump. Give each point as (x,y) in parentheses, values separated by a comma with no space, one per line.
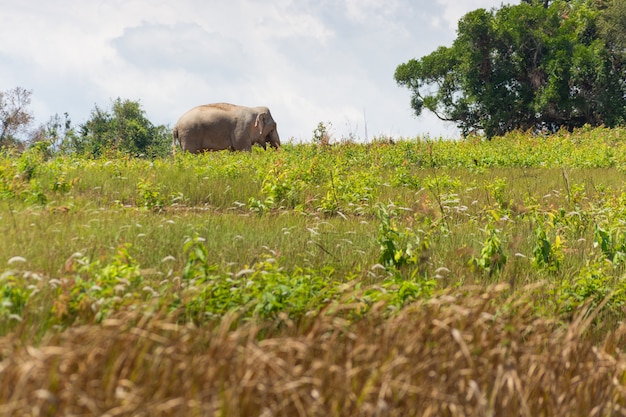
(126,129)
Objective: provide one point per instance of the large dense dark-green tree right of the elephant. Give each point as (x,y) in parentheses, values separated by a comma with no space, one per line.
(537,65)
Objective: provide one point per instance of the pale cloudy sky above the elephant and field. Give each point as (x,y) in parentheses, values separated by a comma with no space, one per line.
(309,61)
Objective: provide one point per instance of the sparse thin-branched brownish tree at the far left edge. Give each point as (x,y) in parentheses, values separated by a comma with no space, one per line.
(14,114)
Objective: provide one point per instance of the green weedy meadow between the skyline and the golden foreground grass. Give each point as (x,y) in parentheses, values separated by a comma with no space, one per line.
(282,244)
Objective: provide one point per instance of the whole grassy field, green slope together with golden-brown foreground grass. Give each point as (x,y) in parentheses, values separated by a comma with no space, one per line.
(416,277)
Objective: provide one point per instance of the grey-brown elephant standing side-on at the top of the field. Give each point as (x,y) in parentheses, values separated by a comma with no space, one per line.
(214,127)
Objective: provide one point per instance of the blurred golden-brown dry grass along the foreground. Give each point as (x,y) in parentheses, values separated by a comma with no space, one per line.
(469,353)
